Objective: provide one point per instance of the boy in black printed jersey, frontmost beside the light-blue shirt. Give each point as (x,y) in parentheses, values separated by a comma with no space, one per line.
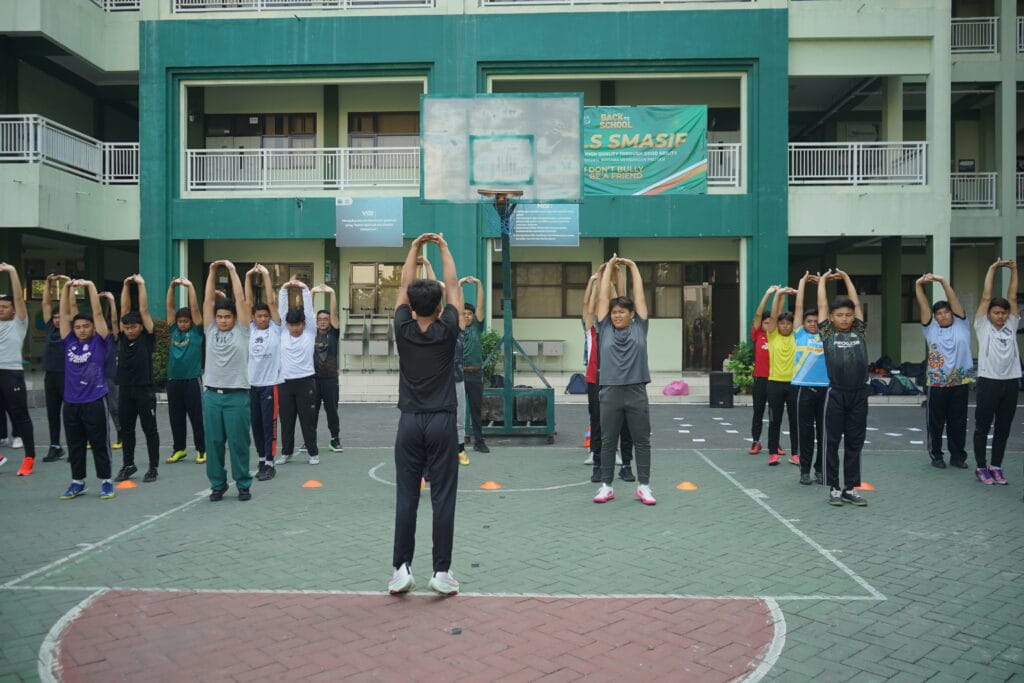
(845,341)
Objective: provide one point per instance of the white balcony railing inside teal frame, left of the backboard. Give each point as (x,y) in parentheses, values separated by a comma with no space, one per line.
(322,168)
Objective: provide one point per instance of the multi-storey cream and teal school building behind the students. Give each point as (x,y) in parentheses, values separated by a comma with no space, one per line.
(884,138)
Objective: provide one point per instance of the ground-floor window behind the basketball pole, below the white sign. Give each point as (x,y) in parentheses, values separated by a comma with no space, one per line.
(543,290)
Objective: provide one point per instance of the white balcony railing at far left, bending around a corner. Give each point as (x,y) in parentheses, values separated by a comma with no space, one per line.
(28,138)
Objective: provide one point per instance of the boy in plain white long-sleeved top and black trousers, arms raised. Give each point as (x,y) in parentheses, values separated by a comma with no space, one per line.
(297,393)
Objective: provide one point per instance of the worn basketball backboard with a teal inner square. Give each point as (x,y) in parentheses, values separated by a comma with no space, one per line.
(518,142)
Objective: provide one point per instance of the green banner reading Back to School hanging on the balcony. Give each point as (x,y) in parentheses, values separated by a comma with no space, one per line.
(646,150)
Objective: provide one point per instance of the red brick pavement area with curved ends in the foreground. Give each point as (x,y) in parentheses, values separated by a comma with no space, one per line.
(164,636)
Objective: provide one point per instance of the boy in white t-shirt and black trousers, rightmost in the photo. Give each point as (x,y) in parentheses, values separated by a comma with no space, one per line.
(999,372)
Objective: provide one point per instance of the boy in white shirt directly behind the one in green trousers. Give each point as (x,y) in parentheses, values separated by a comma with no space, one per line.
(265,373)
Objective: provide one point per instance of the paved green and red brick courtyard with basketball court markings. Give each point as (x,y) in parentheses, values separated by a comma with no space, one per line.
(749,576)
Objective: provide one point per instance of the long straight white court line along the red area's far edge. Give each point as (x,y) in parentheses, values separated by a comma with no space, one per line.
(383,593)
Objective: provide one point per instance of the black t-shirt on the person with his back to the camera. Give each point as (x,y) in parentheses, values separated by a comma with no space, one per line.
(426,361)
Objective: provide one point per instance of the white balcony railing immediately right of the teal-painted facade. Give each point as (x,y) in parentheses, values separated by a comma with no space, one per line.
(859,163)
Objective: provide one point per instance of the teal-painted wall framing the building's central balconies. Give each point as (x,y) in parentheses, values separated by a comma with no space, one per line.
(457,54)
